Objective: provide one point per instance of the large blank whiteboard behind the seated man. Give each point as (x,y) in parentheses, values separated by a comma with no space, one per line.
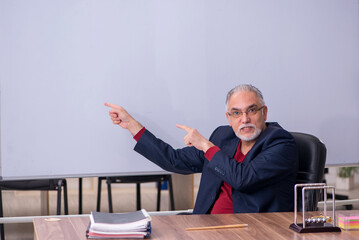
(167,62)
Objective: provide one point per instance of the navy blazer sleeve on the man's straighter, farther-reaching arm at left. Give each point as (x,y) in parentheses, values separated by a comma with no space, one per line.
(184,161)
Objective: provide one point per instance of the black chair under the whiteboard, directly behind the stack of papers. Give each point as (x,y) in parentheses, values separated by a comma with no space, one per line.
(137,180)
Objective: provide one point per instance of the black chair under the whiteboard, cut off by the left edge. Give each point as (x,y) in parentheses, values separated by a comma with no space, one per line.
(43,184)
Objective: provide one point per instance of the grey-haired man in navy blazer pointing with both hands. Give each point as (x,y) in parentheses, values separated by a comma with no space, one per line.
(249,166)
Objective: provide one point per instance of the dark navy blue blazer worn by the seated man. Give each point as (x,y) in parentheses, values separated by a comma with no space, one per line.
(264,182)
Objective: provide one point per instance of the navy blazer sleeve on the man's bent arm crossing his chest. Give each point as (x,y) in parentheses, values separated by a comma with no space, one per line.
(273,158)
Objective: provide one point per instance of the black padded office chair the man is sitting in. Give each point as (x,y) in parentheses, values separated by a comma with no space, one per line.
(312,157)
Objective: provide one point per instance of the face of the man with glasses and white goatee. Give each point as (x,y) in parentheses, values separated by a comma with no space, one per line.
(250,121)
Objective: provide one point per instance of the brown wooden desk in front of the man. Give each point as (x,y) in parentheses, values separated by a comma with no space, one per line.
(260,226)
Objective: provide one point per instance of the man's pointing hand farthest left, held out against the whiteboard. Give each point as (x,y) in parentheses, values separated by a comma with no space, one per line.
(121,117)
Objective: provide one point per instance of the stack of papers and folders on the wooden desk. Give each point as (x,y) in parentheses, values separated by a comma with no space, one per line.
(119,225)
